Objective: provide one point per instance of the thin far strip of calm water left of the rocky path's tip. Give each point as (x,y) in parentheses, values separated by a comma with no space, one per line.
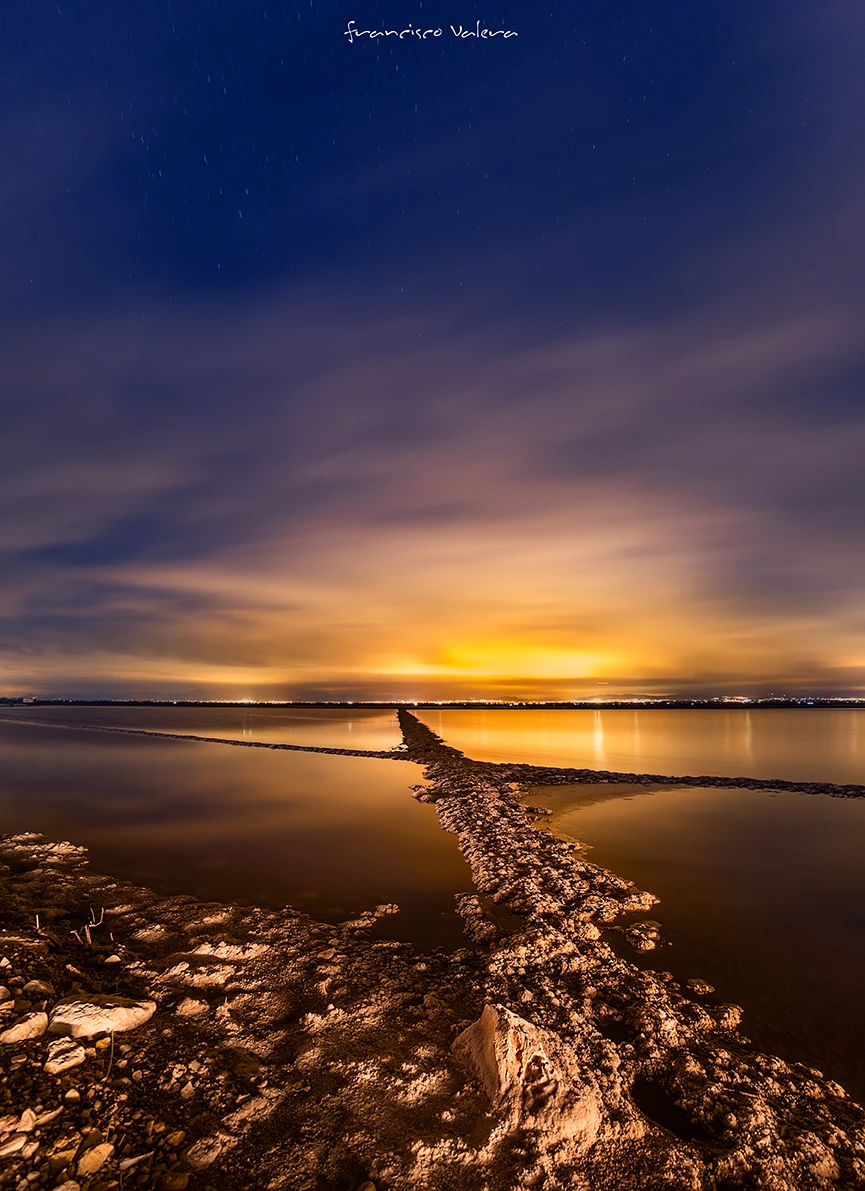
(341,728)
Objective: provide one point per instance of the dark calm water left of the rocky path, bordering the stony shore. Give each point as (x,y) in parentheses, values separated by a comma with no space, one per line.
(328,834)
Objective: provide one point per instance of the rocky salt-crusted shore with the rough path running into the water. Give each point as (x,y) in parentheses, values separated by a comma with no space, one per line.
(166,1044)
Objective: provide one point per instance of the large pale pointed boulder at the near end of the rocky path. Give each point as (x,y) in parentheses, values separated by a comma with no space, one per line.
(534,1080)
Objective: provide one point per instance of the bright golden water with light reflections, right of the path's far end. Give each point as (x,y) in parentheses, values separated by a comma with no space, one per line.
(804,745)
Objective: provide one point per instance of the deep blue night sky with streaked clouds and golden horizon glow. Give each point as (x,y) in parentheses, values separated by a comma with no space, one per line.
(522,367)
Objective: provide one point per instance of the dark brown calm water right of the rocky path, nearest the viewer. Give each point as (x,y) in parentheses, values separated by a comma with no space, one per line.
(763,895)
